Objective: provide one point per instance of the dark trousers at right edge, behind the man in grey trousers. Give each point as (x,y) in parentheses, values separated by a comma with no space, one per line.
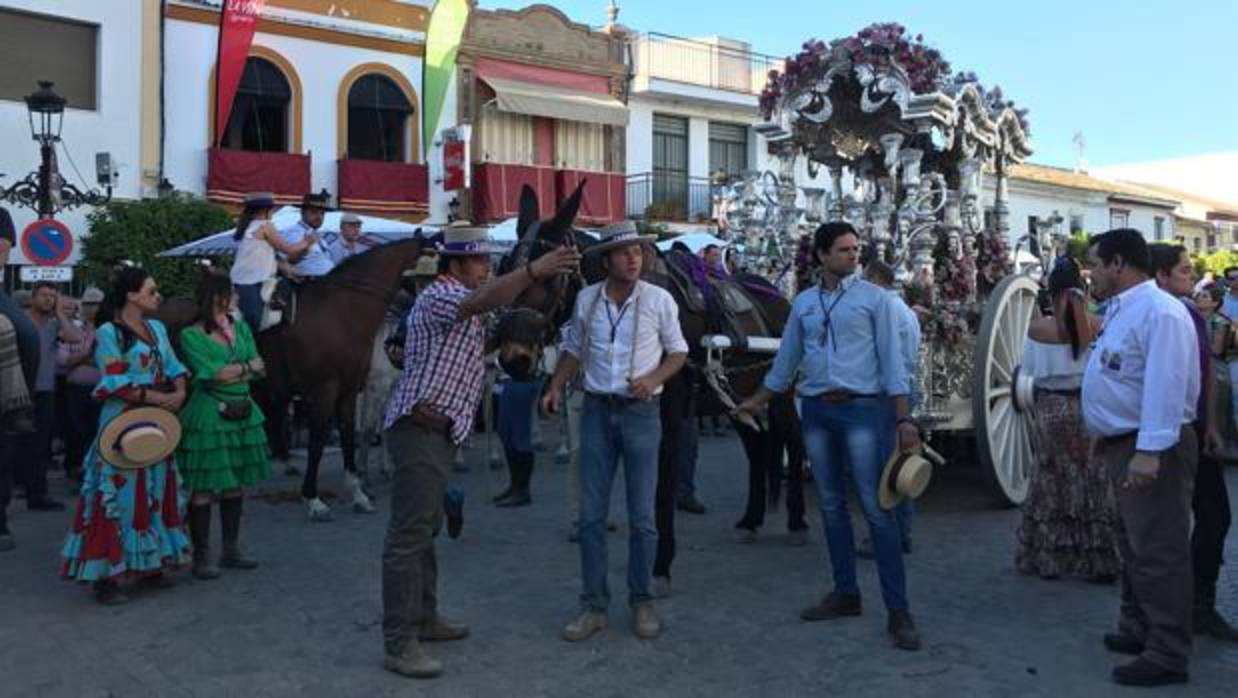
(1211,508)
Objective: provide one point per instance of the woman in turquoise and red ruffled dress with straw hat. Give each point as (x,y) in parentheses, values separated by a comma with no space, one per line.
(129,520)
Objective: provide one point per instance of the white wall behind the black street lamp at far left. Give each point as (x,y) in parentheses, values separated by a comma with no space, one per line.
(113,127)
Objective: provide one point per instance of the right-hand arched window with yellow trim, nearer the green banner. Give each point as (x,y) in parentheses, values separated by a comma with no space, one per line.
(378,119)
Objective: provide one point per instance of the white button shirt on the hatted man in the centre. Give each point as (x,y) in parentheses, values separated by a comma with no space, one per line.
(618,343)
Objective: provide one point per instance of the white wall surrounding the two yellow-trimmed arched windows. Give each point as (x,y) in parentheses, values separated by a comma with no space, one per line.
(321,69)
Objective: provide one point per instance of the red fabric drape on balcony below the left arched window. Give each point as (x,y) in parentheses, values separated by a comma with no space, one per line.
(232,174)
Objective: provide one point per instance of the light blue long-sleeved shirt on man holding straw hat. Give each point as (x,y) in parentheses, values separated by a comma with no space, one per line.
(861,353)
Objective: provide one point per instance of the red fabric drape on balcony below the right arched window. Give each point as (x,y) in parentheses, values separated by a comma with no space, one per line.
(396,187)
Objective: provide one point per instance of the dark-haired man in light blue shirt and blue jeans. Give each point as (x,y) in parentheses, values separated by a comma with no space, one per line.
(844,338)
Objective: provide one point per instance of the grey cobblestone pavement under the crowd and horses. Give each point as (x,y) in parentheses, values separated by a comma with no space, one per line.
(308,622)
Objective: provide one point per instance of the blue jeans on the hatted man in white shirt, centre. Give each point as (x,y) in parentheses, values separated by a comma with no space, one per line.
(610,431)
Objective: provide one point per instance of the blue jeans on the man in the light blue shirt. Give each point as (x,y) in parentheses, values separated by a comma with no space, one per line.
(856,434)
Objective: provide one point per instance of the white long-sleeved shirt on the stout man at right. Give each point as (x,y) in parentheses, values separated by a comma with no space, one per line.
(1143,374)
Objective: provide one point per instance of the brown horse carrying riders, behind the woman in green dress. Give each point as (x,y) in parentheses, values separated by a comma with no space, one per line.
(325,357)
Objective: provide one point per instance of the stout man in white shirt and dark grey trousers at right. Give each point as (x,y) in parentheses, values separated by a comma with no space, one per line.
(1140,397)
